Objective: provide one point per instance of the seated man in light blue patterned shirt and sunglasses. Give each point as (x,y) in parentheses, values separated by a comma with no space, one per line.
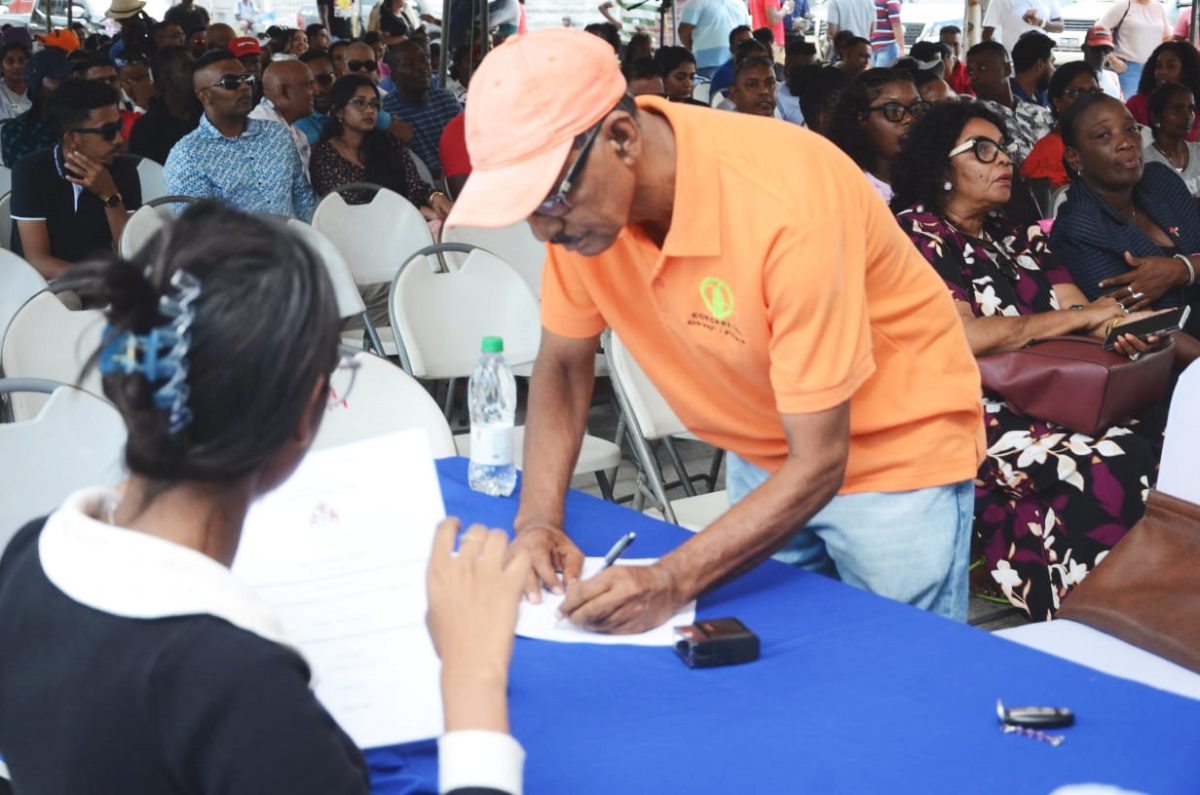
(248,164)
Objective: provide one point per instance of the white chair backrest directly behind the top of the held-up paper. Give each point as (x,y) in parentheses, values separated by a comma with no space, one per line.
(385,399)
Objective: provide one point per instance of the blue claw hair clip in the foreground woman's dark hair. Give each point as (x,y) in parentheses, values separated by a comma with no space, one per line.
(161,355)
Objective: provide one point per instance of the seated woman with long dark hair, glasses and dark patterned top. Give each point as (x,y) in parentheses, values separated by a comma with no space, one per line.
(351,150)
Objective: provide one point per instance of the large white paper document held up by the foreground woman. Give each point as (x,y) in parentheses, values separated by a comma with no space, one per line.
(340,553)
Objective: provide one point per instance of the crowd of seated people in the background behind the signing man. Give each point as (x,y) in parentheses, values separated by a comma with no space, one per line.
(953,141)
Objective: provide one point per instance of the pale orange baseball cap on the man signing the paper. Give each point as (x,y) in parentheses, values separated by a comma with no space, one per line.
(530,99)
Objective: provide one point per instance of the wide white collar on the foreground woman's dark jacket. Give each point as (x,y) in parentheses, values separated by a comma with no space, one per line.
(137,576)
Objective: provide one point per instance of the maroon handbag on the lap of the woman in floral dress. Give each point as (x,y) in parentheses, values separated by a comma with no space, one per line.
(1075,382)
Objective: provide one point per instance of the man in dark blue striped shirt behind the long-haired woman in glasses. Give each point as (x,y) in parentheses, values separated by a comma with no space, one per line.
(418,103)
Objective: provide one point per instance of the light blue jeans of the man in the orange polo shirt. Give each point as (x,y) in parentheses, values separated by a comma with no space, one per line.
(913,547)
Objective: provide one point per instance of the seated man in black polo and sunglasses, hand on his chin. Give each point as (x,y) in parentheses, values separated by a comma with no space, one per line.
(71,202)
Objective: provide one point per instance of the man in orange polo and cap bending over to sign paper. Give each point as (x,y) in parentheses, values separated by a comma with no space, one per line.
(775,303)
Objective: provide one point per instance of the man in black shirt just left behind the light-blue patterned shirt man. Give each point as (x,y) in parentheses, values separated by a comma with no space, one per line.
(175,112)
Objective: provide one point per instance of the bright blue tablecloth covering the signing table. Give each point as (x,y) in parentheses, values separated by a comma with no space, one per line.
(853,694)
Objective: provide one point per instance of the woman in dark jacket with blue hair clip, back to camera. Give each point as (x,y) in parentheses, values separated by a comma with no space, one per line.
(221,356)
